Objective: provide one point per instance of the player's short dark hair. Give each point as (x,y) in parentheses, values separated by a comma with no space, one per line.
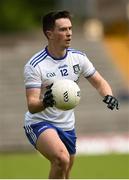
(48,21)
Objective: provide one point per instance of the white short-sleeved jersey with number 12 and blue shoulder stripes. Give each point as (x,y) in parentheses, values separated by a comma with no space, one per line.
(42,69)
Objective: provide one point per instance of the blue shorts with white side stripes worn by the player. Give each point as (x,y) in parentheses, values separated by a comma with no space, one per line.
(68,137)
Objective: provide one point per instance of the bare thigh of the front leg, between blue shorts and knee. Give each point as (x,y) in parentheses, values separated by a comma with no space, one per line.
(50,145)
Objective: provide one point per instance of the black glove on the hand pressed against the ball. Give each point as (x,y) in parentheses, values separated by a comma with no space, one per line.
(48,100)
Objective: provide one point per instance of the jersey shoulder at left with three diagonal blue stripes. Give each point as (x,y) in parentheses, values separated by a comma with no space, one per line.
(37,58)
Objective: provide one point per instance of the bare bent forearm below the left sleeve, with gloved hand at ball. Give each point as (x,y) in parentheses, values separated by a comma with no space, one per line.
(35,101)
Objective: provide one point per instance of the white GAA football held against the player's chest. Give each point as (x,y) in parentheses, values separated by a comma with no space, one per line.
(66,94)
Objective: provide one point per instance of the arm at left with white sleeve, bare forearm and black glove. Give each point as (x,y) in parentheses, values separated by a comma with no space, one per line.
(37,101)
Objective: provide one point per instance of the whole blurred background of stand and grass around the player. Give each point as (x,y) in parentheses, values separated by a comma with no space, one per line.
(101,30)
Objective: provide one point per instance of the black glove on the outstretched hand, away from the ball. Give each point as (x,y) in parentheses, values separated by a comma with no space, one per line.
(111,101)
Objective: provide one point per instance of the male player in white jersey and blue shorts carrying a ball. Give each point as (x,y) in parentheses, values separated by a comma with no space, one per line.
(50,130)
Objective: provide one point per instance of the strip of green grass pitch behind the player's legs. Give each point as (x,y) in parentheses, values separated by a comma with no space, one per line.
(33,166)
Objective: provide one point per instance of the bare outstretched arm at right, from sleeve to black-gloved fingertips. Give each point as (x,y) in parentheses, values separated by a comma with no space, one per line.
(104,90)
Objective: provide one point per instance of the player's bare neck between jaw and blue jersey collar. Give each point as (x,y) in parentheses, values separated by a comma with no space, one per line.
(56,52)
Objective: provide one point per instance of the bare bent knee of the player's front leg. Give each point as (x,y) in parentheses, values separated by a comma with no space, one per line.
(61,161)
